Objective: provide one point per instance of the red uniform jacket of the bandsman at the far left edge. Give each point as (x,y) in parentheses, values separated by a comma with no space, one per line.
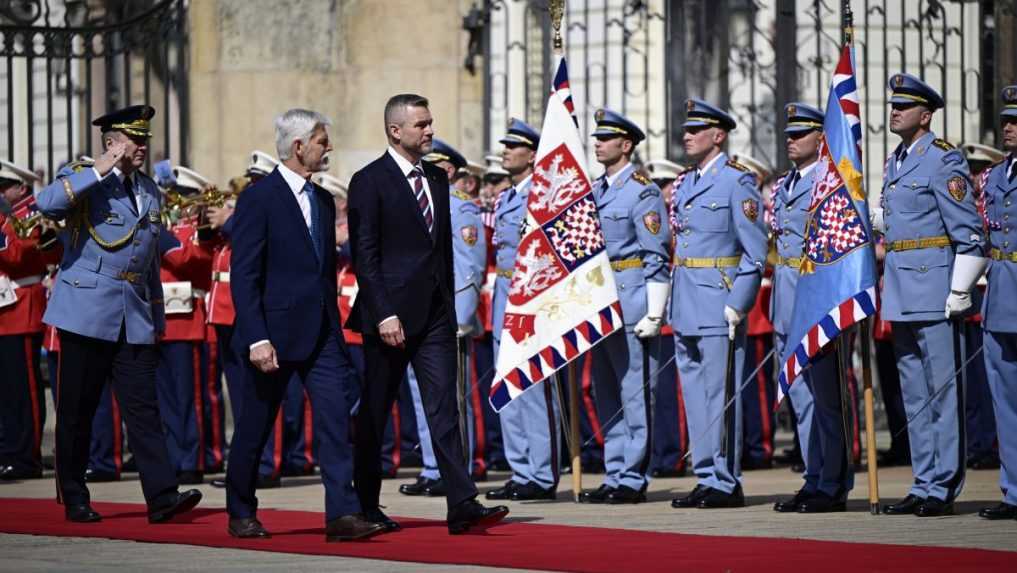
(22,261)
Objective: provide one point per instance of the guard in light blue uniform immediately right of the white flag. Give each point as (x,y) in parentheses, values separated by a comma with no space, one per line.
(638,239)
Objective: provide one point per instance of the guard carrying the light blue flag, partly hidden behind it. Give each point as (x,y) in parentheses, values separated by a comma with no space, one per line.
(817,403)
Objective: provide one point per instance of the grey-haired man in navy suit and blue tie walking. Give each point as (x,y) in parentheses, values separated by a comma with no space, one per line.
(284,288)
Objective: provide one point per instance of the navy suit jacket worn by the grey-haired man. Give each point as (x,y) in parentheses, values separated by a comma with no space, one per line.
(281,291)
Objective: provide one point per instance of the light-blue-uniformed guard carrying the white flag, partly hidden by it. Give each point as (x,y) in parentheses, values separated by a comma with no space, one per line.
(530,429)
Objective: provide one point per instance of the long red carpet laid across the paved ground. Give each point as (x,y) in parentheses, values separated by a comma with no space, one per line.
(519,545)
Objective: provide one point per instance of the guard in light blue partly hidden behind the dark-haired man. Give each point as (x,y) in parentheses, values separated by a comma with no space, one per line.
(469,262)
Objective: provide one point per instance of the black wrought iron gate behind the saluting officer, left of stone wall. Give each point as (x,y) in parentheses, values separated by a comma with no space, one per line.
(69,62)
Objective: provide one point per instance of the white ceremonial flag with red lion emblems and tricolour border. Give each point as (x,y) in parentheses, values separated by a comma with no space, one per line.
(563,300)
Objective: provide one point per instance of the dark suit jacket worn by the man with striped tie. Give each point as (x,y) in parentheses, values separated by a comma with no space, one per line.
(399,264)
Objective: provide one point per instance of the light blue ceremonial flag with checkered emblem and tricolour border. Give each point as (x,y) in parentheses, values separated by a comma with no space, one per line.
(837,286)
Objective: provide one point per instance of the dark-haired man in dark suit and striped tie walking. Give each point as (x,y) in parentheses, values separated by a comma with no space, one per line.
(401,242)
